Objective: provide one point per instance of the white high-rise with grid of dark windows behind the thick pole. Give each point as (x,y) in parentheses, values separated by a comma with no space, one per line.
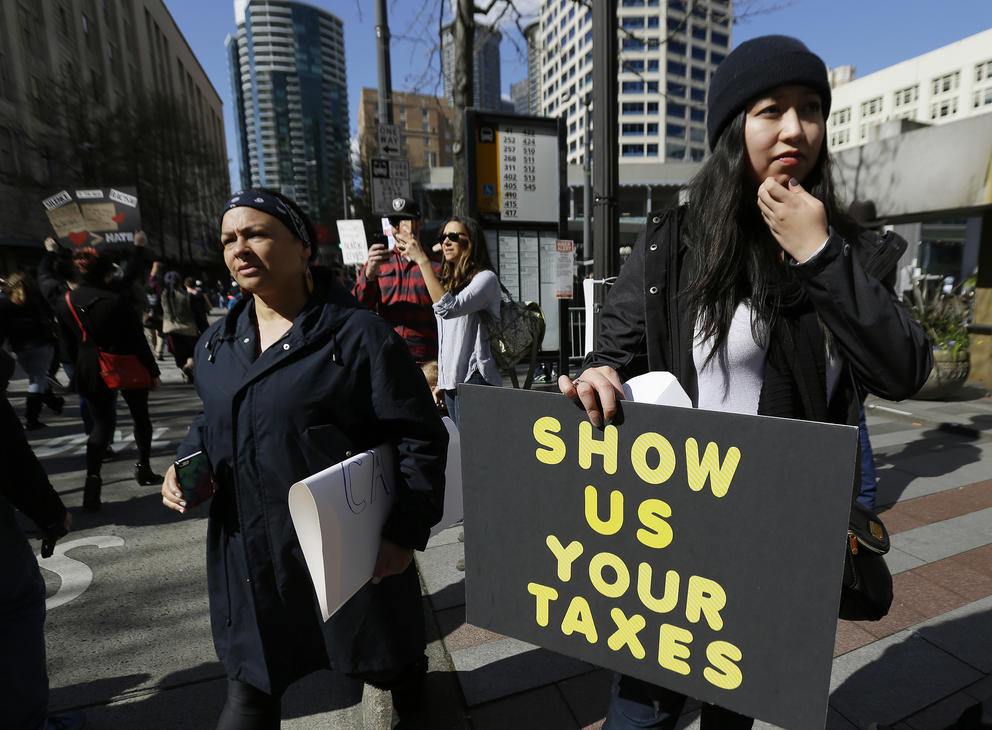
(668,52)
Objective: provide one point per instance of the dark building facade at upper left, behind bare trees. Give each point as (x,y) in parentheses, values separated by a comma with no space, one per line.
(98,93)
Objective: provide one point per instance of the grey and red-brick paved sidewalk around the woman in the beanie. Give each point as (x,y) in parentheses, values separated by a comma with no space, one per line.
(920,667)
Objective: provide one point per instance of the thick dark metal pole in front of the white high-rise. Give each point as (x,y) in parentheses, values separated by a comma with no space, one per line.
(604,82)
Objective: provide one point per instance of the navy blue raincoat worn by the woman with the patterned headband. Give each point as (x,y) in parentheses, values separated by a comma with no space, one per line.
(339,382)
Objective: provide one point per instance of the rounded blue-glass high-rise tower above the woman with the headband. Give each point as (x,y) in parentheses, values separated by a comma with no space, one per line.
(291,103)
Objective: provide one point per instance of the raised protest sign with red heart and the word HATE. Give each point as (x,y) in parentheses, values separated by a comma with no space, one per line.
(93,216)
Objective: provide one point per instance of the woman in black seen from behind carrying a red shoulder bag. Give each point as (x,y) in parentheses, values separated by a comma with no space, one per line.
(111,323)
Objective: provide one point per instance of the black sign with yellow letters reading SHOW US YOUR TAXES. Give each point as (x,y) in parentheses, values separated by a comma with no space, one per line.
(696,550)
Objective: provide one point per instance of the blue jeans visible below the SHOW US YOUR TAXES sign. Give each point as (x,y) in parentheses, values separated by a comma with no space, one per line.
(635,704)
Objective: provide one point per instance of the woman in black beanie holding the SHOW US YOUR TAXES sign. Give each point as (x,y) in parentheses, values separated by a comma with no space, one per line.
(759,294)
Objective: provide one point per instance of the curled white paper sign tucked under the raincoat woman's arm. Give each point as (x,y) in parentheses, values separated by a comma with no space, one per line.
(338,514)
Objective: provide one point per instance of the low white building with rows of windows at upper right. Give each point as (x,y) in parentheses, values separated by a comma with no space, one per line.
(945,85)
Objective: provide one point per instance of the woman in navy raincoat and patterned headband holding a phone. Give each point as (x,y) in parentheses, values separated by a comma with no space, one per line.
(297,377)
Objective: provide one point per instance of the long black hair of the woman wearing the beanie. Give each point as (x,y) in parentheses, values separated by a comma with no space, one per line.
(735,256)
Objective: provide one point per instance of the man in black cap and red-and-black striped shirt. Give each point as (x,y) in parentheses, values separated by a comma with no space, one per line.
(392,285)
